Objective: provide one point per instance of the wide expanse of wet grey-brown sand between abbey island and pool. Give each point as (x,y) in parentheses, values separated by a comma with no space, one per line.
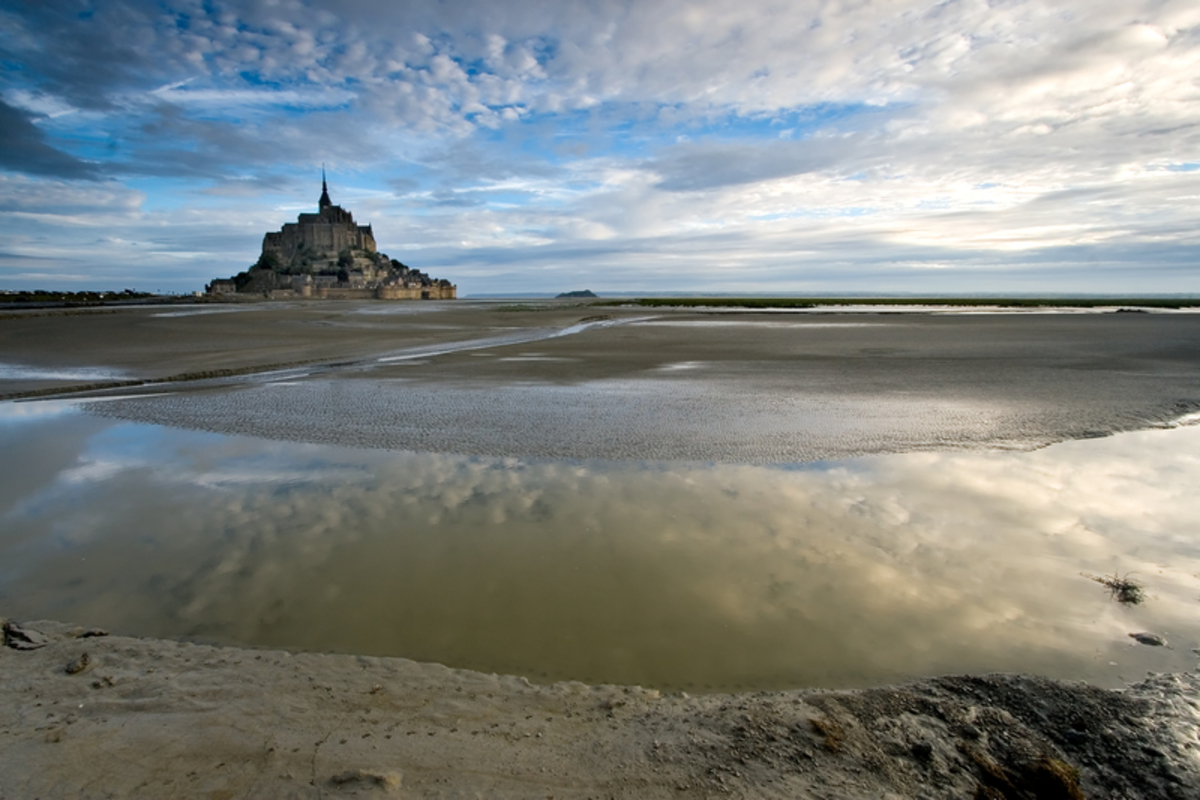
(568,381)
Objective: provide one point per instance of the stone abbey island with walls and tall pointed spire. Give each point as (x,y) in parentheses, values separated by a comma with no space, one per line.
(327,255)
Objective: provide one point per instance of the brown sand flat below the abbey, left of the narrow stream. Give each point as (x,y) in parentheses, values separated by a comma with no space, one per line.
(153,344)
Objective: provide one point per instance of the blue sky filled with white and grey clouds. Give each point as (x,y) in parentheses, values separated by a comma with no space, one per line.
(736,147)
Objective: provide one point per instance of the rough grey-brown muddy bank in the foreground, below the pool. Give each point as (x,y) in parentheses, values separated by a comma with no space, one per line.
(89,715)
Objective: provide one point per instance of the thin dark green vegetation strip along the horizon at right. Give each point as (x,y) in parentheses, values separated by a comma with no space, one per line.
(814,303)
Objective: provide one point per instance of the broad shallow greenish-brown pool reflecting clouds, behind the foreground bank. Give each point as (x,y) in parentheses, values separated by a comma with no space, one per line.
(853,573)
